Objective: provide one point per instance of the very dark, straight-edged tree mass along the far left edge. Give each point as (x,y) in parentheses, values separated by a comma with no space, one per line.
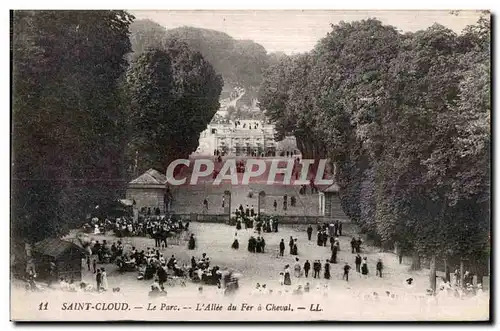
(68,123)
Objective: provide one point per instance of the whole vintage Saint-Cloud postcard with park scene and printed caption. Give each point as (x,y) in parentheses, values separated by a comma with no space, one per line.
(250,165)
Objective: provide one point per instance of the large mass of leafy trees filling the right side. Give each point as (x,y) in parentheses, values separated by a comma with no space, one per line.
(406,119)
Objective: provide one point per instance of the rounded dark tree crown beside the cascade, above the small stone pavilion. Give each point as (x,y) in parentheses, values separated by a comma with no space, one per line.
(174,93)
